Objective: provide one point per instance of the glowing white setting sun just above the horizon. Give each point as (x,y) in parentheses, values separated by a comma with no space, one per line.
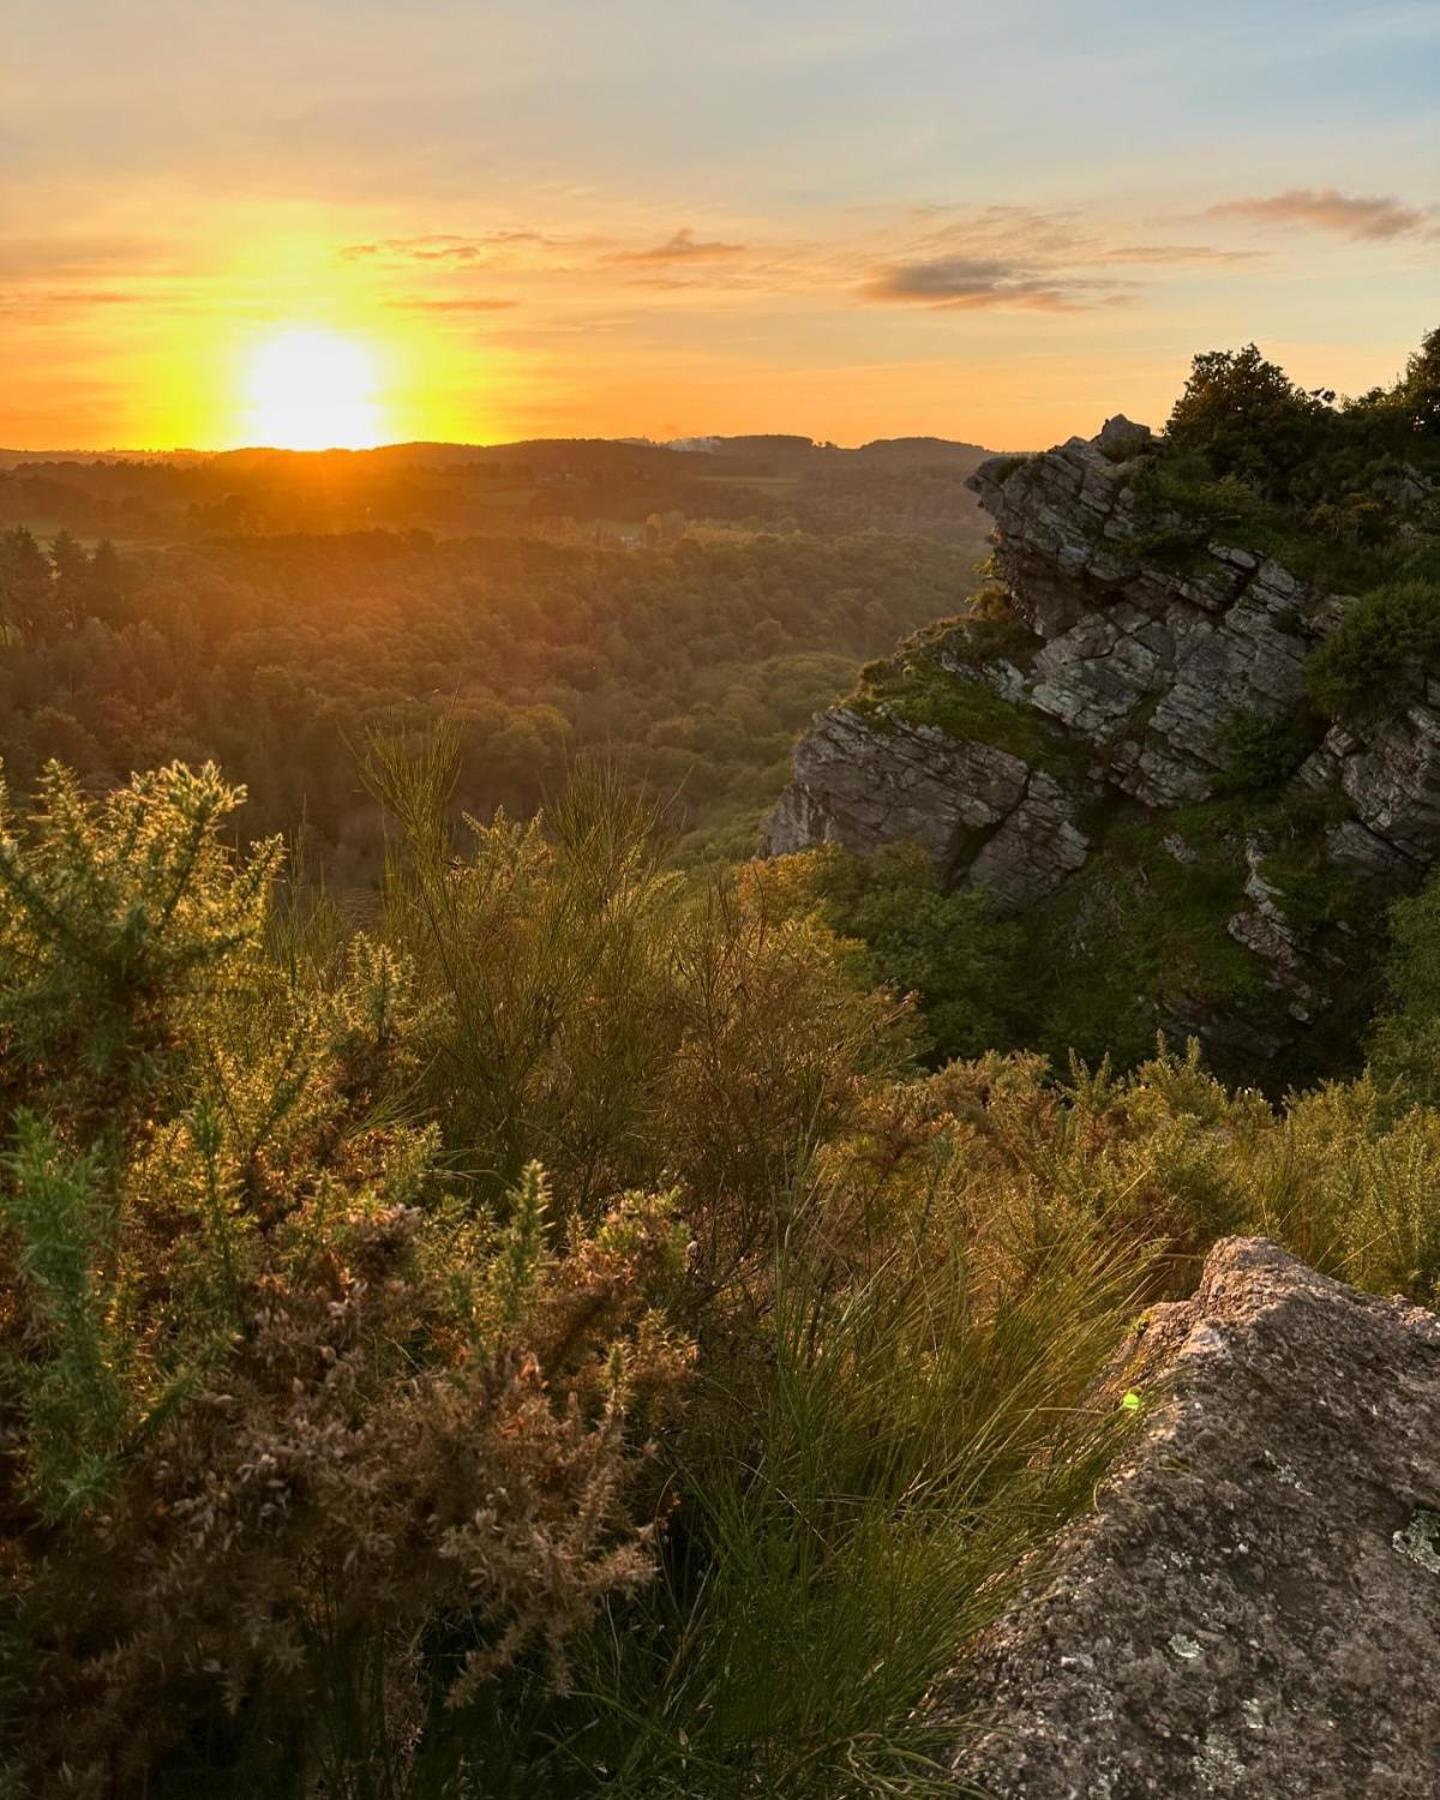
(314,391)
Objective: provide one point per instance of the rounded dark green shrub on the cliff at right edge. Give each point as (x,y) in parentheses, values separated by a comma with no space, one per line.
(1374,665)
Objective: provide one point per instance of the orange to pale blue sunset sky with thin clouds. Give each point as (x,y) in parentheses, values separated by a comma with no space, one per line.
(847,219)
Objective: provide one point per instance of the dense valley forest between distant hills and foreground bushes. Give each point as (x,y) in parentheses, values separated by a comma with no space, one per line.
(692,663)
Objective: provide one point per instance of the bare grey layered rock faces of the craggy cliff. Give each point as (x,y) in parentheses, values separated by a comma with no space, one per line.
(1140,669)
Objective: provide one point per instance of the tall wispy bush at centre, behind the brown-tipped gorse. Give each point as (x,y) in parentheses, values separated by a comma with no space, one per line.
(582,1007)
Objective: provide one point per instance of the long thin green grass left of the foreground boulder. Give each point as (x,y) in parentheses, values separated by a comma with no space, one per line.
(870,1504)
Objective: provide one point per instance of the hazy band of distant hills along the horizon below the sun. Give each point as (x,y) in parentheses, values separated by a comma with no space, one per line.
(537,487)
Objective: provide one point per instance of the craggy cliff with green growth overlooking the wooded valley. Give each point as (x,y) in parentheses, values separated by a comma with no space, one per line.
(1117,742)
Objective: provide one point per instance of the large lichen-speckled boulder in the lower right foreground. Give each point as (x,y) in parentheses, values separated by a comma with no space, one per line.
(1254,1606)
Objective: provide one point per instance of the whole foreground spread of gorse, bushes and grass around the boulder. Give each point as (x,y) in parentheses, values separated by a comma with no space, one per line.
(552,1335)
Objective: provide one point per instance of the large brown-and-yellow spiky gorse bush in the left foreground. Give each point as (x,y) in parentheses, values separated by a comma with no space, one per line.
(276,1399)
